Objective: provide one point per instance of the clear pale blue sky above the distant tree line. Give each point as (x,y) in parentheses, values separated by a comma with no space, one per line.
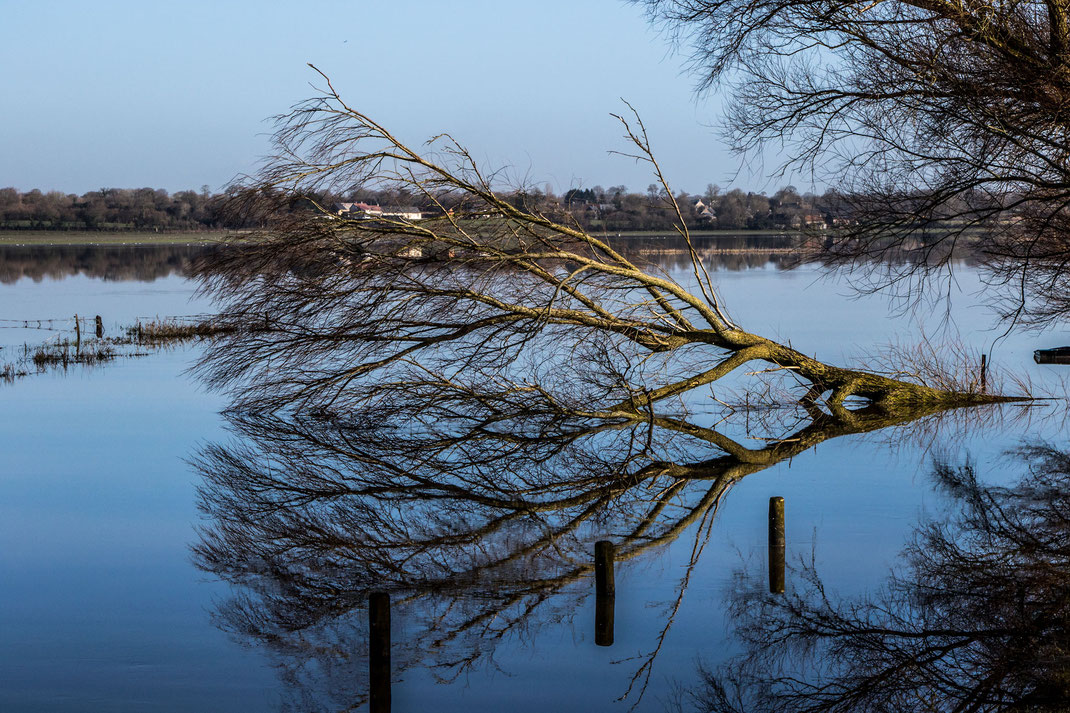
(176,96)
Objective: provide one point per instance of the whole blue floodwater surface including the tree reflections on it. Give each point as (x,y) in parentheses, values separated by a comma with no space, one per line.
(162,553)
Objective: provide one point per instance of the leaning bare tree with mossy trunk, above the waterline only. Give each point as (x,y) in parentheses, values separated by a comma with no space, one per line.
(486,285)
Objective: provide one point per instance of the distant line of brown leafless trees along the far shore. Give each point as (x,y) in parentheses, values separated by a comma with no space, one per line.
(615,209)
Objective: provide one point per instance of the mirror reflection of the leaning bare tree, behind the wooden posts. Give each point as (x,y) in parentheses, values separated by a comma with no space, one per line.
(477,510)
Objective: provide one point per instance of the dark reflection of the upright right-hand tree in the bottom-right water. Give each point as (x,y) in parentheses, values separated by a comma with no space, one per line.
(977,619)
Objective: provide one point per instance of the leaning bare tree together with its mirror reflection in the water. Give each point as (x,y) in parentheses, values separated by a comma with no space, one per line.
(454,408)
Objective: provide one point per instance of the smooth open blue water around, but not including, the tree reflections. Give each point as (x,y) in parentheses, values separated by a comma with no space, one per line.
(103,605)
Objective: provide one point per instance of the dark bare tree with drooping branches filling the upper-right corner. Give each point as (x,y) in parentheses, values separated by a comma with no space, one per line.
(945,125)
